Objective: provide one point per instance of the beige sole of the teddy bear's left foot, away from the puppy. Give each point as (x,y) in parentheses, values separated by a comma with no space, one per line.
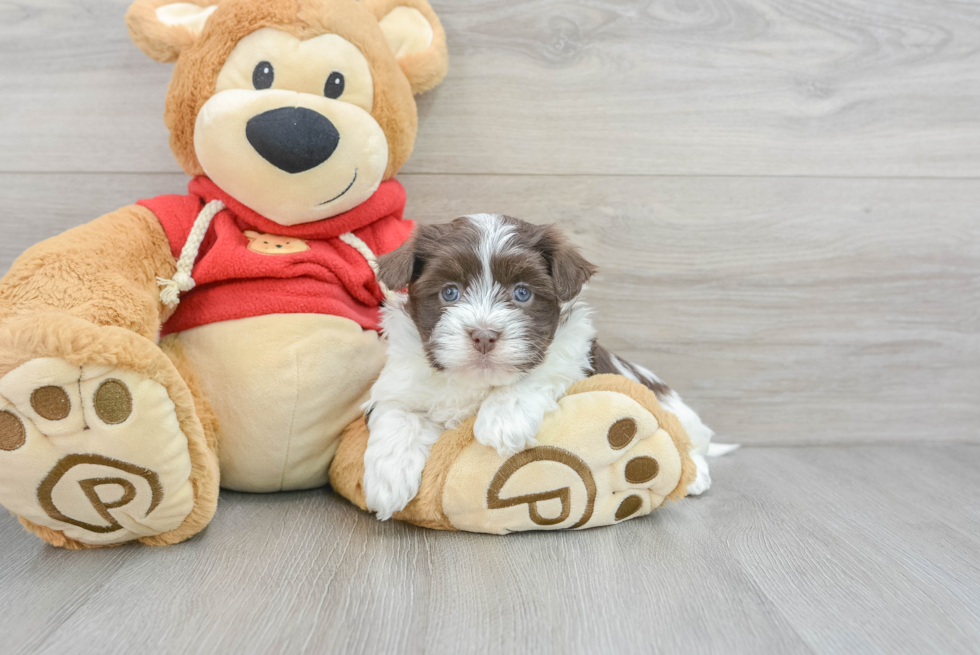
(94,452)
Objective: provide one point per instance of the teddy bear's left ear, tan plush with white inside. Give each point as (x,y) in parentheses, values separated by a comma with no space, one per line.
(163,28)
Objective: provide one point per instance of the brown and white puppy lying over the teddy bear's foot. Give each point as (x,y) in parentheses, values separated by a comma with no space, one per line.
(492,325)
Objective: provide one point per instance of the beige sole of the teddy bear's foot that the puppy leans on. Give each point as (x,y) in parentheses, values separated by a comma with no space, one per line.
(601,459)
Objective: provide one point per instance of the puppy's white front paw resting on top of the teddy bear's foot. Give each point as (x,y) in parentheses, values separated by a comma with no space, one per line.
(510,417)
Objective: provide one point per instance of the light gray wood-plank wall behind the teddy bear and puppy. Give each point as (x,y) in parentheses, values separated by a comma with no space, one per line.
(782,197)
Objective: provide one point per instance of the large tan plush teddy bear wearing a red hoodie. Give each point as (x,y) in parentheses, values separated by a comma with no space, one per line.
(228,336)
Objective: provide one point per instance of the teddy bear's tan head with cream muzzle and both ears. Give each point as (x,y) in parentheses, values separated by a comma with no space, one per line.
(298,109)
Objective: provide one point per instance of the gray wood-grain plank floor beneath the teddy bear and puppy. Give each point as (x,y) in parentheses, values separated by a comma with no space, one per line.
(797,550)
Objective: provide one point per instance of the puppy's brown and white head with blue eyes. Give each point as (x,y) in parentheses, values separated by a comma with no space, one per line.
(486,292)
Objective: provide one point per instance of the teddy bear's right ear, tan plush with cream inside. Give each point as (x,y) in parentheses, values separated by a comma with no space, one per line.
(416,38)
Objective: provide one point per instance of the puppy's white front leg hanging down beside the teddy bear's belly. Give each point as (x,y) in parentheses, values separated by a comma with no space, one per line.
(397,449)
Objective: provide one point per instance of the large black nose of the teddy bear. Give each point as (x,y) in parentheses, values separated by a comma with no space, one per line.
(293,139)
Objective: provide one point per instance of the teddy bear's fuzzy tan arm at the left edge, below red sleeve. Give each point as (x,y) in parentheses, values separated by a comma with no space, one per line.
(104,272)
